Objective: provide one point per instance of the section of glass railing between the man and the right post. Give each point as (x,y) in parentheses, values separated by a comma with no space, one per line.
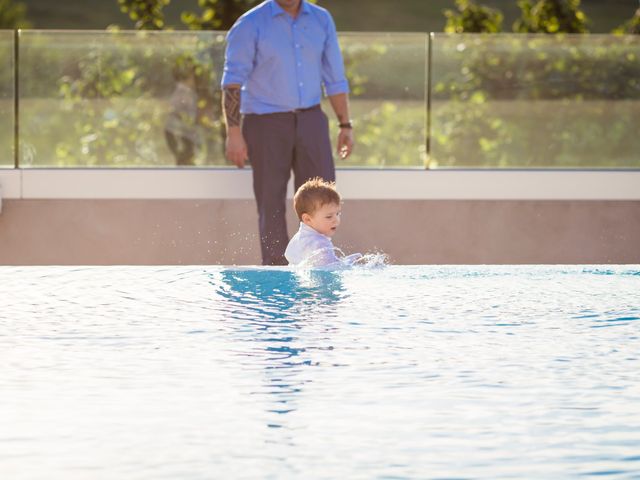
(386,73)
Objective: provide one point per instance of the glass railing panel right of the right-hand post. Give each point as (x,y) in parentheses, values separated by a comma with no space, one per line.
(522,101)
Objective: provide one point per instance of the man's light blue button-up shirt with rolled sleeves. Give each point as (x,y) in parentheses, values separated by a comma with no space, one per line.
(282,63)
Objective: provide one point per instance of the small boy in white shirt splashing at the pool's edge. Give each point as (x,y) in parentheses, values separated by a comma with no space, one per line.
(318,206)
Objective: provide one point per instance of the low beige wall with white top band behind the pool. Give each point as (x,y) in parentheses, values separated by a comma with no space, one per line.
(208,216)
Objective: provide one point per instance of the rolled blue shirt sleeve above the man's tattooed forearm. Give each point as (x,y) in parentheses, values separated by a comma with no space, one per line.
(240,53)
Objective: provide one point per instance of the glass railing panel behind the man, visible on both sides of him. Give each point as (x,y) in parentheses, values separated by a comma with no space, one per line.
(107,99)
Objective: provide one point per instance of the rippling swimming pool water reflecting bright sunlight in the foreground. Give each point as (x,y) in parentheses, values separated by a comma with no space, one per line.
(396,372)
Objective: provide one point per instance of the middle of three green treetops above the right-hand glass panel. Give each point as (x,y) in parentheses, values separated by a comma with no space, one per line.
(551,16)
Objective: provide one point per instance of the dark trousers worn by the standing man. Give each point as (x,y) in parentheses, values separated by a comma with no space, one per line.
(279,143)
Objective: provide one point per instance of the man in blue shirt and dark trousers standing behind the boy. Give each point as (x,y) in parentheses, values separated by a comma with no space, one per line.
(279,56)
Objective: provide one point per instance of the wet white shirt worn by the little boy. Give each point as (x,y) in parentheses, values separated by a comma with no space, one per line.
(311,247)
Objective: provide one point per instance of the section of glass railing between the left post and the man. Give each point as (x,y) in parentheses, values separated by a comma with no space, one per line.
(120,99)
